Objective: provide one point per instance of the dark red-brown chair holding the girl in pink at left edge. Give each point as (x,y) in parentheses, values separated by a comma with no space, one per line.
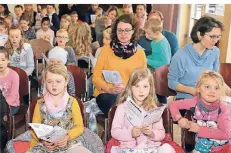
(24,93)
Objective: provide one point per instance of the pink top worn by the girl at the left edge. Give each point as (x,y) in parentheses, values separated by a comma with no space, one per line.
(10,88)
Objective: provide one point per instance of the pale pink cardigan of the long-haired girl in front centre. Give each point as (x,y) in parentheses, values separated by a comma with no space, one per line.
(122,131)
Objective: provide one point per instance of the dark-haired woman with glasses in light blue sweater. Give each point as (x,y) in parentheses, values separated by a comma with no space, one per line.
(199,55)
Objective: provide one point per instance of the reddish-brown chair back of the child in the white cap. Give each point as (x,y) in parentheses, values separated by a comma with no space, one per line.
(80,80)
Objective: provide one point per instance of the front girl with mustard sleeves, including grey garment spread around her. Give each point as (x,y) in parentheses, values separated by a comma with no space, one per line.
(58,108)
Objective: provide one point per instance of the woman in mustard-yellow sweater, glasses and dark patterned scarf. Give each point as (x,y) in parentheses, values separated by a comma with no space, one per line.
(121,55)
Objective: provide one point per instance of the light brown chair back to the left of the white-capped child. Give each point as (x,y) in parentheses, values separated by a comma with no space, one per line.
(40,47)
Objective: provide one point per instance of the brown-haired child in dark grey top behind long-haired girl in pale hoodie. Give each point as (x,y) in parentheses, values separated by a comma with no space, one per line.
(29,33)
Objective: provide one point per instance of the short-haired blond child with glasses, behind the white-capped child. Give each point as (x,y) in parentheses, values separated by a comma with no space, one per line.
(62,38)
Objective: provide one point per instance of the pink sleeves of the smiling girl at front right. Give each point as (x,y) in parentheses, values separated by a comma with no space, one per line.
(222,132)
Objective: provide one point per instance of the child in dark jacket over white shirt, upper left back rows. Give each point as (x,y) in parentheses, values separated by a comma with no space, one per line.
(54,19)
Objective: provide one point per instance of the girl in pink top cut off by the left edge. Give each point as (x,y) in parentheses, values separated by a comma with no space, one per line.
(9,81)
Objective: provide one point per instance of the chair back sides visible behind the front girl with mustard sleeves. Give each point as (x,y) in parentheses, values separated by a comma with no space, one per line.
(31,108)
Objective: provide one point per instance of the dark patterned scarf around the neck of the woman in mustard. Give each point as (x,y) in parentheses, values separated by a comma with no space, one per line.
(123,51)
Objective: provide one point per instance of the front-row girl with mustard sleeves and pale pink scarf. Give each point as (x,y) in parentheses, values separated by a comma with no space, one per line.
(58,105)
